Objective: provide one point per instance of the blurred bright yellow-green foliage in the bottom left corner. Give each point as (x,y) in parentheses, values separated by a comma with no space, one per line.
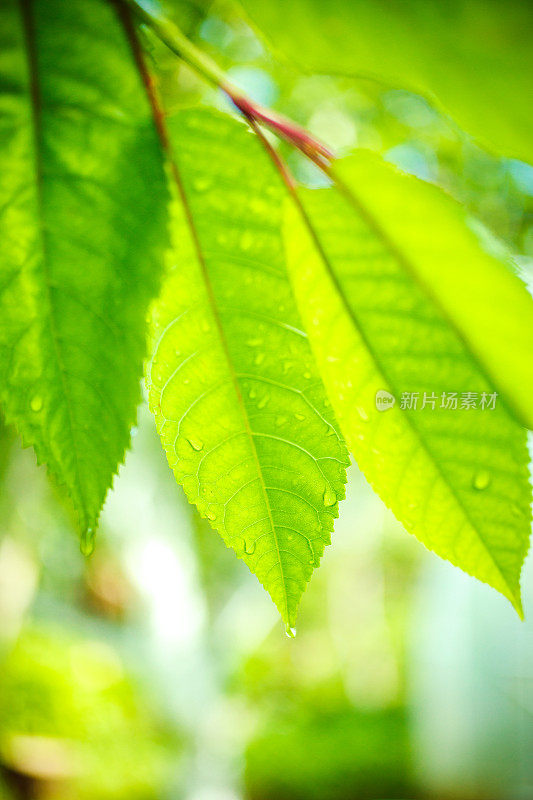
(73,724)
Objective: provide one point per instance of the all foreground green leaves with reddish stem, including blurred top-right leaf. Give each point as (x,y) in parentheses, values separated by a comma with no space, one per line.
(276,314)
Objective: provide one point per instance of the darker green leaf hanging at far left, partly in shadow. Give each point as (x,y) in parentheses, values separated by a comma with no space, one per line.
(83,228)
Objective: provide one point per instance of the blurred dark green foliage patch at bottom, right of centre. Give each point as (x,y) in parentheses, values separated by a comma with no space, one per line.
(325,756)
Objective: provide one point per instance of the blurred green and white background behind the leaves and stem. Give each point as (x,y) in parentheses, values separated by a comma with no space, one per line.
(158,668)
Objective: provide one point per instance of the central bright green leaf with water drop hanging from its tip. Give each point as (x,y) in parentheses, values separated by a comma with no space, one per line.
(239,406)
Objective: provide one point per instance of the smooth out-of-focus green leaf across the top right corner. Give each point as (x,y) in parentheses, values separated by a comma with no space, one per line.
(472,58)
